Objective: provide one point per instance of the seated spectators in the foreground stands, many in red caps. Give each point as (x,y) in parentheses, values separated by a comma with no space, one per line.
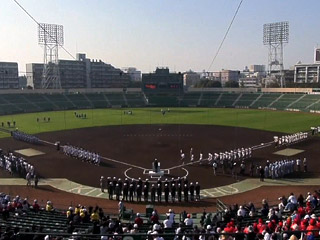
(293,217)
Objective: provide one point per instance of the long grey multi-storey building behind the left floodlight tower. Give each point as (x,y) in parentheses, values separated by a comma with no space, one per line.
(81,73)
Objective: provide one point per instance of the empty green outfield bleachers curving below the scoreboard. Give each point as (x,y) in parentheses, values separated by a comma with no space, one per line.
(22,103)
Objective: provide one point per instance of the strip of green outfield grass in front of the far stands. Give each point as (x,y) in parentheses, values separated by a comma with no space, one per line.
(279,121)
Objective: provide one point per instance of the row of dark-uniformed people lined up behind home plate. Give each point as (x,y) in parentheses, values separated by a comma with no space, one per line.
(174,190)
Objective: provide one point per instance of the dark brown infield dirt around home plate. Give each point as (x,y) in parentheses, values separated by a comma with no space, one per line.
(139,145)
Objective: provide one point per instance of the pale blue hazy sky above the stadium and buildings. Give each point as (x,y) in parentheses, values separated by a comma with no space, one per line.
(179,34)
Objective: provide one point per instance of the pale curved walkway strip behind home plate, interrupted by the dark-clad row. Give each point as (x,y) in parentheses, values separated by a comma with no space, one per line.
(235,188)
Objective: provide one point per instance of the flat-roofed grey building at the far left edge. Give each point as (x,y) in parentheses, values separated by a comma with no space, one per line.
(9,78)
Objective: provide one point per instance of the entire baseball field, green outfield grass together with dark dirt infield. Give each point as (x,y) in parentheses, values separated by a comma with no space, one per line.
(130,142)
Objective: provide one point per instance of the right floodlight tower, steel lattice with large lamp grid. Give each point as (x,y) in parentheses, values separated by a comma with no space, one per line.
(275,35)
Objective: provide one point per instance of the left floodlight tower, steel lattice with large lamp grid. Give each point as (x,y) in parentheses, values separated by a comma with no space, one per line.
(51,38)
